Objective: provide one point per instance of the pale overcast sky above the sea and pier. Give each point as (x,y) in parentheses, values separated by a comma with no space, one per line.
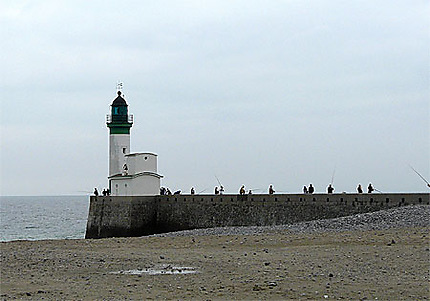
(254,92)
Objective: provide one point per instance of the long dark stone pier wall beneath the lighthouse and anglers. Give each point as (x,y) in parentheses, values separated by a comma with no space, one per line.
(116,216)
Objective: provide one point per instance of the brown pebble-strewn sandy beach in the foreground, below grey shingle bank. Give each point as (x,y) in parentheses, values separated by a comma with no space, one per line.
(356,265)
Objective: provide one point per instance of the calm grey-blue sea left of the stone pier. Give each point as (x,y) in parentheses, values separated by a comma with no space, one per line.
(43,217)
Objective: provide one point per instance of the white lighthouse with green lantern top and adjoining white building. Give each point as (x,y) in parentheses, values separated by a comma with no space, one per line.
(129,173)
